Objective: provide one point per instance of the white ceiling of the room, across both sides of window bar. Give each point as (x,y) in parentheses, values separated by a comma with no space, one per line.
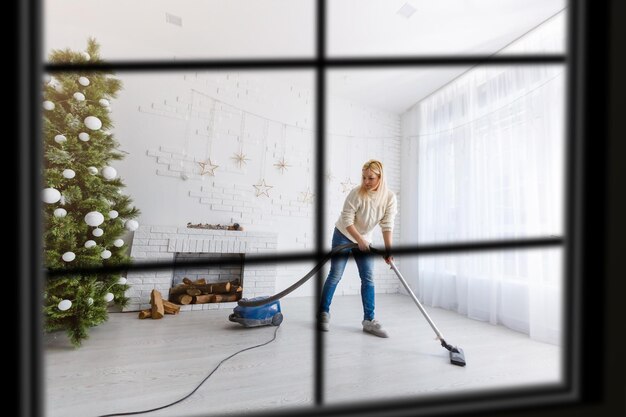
(138,30)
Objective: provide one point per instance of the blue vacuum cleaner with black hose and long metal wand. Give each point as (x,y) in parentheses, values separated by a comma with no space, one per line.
(457,356)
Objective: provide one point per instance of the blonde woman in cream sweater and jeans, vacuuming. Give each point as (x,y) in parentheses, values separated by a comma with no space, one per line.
(365,206)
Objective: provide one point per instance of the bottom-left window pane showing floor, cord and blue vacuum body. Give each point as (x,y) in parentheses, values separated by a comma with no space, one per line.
(127,364)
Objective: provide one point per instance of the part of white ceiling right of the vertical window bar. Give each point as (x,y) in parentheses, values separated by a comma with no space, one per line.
(373,28)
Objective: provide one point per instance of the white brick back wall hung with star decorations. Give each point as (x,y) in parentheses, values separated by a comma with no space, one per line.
(163,122)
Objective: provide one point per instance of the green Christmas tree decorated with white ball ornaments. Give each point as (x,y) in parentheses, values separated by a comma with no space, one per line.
(85,213)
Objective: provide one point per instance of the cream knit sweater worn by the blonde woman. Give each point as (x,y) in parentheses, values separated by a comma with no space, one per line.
(365,212)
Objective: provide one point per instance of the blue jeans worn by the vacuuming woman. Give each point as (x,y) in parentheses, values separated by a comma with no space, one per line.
(338,262)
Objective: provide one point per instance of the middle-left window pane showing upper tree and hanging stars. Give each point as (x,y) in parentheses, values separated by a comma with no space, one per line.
(214,162)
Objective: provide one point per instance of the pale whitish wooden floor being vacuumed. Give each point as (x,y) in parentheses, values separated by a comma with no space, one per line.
(130,365)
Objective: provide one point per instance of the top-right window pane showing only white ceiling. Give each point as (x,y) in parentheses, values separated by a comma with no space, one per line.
(383,28)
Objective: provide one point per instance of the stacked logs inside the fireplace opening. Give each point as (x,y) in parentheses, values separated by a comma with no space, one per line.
(201,292)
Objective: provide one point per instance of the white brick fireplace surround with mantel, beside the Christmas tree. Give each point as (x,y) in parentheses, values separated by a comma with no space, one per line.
(162,243)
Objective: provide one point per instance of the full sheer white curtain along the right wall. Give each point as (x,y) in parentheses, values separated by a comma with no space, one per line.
(490,149)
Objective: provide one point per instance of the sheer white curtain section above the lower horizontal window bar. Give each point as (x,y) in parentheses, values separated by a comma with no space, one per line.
(487,152)
